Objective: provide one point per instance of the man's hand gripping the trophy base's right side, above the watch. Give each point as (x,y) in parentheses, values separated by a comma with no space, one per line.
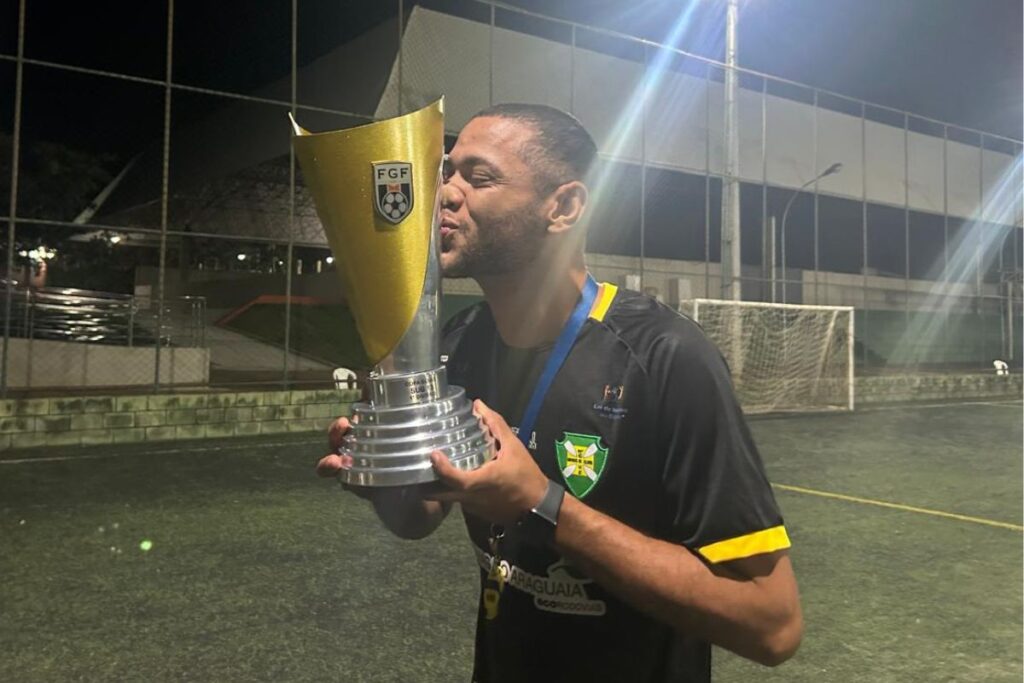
(501,491)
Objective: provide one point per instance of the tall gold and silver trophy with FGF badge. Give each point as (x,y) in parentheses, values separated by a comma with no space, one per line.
(377,191)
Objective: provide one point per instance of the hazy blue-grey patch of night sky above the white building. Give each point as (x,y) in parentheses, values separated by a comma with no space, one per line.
(957,61)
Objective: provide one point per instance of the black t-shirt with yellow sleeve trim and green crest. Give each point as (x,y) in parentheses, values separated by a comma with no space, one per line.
(641,423)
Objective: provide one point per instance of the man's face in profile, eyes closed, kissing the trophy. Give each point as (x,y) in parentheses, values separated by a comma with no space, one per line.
(492,221)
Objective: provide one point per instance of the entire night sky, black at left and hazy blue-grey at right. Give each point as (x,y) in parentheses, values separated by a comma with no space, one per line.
(958,61)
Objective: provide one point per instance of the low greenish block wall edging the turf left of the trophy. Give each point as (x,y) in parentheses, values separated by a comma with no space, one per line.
(98,420)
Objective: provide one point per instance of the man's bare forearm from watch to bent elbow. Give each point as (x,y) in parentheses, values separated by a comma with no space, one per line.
(755,617)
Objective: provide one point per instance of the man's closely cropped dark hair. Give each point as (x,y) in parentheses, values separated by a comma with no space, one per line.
(563,152)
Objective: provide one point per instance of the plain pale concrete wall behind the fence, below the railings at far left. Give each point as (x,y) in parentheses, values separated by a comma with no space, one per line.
(37,363)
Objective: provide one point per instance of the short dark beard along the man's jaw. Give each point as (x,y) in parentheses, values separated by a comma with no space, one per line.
(499,249)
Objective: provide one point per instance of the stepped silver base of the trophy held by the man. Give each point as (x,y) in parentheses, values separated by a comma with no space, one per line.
(410,417)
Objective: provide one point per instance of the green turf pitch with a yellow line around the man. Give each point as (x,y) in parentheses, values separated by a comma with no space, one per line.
(260,572)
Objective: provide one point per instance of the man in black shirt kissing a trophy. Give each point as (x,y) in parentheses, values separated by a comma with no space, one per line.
(633,526)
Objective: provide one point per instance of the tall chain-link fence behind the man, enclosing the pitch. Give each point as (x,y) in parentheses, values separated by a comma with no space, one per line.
(182,212)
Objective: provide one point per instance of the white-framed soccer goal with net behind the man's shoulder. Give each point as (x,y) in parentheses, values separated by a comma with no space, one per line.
(783,357)
